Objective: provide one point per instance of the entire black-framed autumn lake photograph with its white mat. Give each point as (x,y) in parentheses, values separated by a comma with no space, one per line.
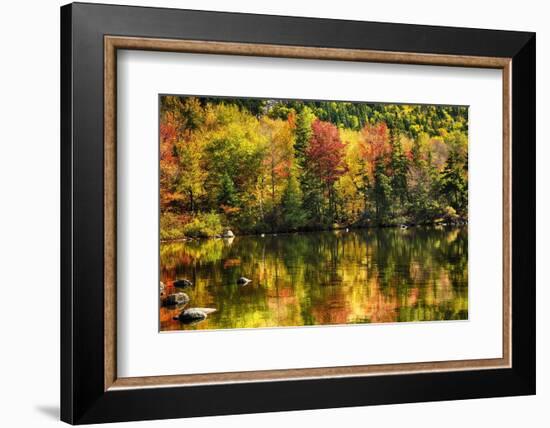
(266,213)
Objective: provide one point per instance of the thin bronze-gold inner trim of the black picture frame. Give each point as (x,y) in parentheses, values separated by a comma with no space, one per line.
(113,43)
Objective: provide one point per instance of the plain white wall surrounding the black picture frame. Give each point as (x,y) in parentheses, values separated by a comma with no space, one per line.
(29,217)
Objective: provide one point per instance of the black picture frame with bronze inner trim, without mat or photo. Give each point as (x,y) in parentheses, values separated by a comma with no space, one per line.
(90,389)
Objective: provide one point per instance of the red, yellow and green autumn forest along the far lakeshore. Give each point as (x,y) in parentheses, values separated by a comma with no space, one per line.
(258,165)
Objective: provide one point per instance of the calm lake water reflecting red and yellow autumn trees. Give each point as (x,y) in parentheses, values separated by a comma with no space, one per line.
(360,276)
